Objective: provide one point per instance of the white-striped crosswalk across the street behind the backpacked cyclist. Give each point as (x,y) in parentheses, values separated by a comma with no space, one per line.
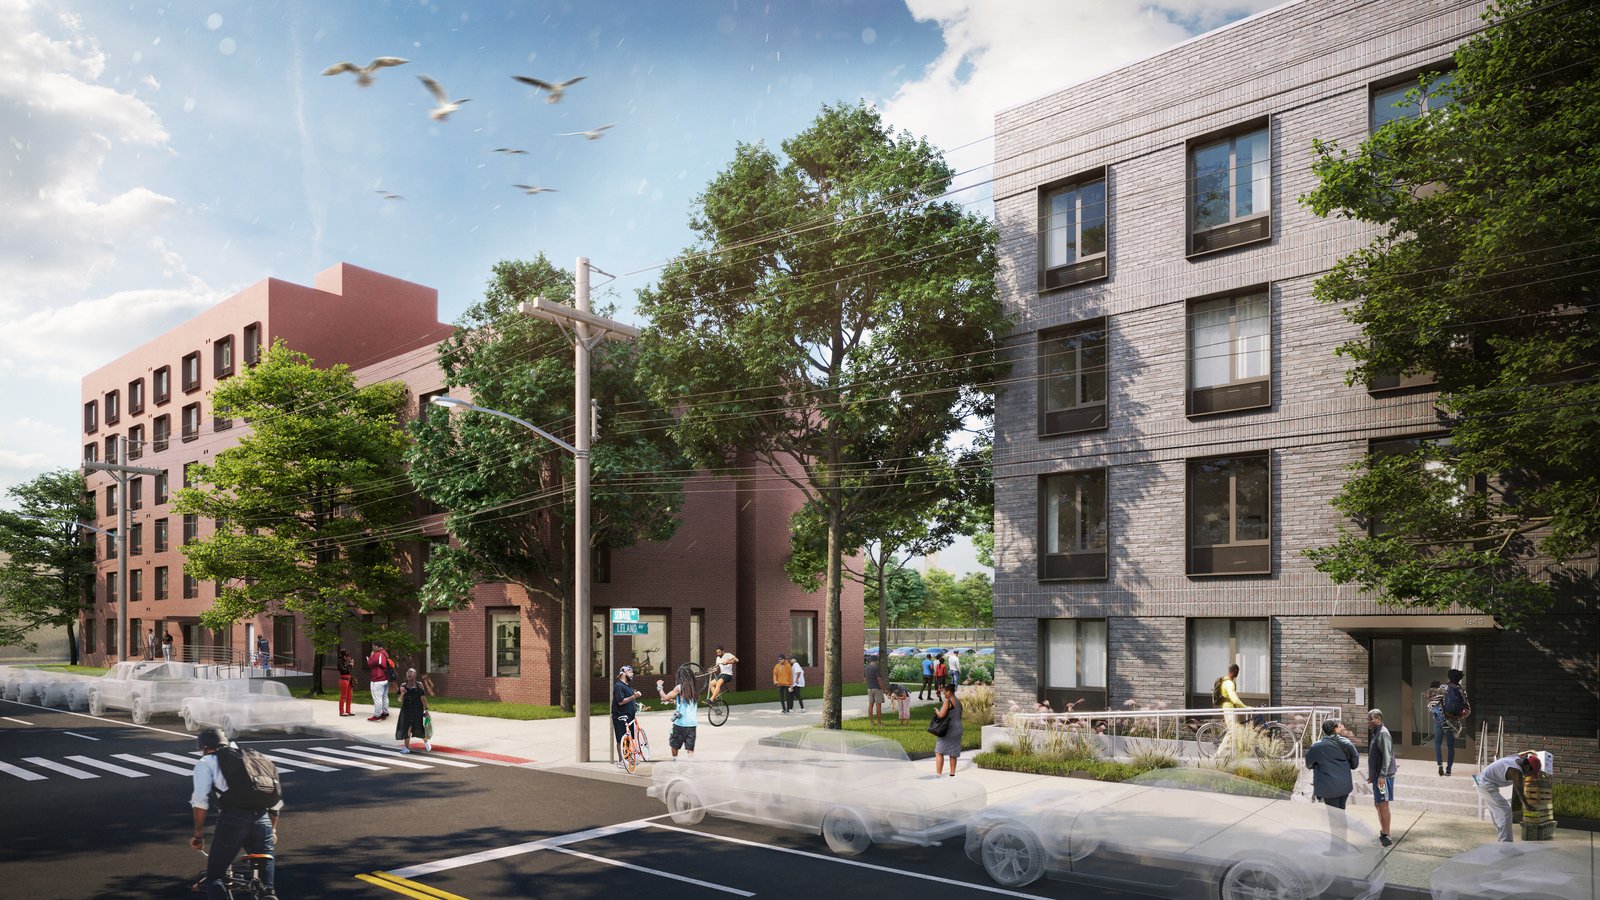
(366,758)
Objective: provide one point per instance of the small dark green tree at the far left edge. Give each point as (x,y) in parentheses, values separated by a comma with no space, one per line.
(46,565)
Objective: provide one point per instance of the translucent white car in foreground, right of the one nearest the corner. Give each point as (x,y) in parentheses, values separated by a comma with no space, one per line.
(1180,834)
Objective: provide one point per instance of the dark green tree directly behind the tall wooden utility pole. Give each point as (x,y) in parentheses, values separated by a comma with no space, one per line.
(505,486)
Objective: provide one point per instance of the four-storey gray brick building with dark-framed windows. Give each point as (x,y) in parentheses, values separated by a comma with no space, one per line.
(1178,422)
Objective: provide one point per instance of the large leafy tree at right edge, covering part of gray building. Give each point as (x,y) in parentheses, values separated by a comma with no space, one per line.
(1482,276)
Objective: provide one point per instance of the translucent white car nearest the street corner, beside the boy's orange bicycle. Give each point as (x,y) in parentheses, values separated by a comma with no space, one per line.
(852,789)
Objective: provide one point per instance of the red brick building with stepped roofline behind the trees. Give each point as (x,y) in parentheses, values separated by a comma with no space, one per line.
(719,581)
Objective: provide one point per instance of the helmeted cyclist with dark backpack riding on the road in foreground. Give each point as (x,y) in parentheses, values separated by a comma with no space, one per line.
(238,827)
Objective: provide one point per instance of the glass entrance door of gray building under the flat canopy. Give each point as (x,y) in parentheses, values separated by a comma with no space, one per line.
(1402,670)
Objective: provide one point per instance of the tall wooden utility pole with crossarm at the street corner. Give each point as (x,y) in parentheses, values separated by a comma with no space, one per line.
(588,331)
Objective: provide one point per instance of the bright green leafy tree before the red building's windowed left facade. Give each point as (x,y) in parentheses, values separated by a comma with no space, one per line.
(306,505)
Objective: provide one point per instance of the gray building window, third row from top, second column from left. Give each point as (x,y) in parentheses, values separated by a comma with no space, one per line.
(1230,515)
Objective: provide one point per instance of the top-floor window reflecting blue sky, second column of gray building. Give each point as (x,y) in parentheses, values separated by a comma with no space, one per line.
(1231,190)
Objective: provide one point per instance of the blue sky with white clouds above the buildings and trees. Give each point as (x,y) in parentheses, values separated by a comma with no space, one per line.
(162,156)
